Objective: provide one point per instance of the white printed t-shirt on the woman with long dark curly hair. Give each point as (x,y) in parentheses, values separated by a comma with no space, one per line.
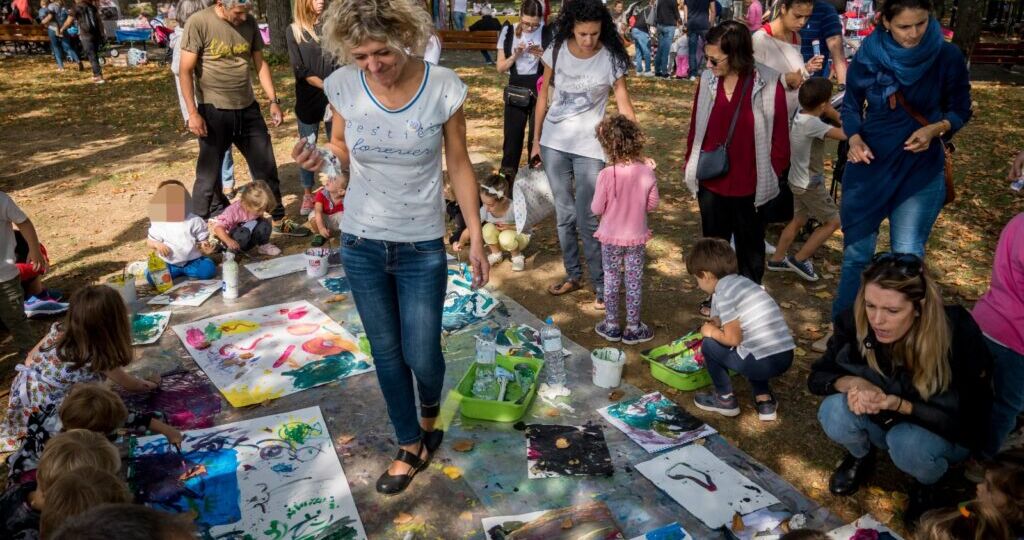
(581,96)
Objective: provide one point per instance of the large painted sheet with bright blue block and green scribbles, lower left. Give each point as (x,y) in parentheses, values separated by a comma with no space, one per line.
(276,478)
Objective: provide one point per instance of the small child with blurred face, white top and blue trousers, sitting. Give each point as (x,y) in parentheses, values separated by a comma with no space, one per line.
(180,238)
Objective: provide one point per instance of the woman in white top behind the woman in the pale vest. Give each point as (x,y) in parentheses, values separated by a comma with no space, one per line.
(778,47)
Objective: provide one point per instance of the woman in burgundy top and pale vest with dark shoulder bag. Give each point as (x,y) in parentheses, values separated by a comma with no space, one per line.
(759,151)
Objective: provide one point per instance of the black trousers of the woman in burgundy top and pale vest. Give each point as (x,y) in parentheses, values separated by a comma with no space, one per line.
(727,218)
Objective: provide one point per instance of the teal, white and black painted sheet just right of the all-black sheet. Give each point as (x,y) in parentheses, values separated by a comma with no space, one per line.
(656,423)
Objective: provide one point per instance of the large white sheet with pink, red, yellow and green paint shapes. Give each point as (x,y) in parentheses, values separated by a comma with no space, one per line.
(271,352)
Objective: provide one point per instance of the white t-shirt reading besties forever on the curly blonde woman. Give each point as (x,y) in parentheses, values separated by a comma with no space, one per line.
(395,189)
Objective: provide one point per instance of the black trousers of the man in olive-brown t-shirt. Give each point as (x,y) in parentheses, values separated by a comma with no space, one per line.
(247,131)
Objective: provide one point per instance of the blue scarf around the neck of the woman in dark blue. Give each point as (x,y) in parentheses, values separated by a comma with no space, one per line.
(895,66)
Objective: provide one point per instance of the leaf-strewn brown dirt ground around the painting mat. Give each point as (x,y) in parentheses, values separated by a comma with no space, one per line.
(83,160)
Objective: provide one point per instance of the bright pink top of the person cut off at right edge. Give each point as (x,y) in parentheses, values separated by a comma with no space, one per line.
(1000,312)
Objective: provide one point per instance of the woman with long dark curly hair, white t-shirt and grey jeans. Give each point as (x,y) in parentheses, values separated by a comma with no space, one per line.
(585,64)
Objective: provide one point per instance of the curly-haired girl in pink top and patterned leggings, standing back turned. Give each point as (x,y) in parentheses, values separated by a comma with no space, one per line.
(626,192)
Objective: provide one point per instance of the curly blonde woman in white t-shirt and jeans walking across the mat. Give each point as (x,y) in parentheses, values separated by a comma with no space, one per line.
(393,114)
